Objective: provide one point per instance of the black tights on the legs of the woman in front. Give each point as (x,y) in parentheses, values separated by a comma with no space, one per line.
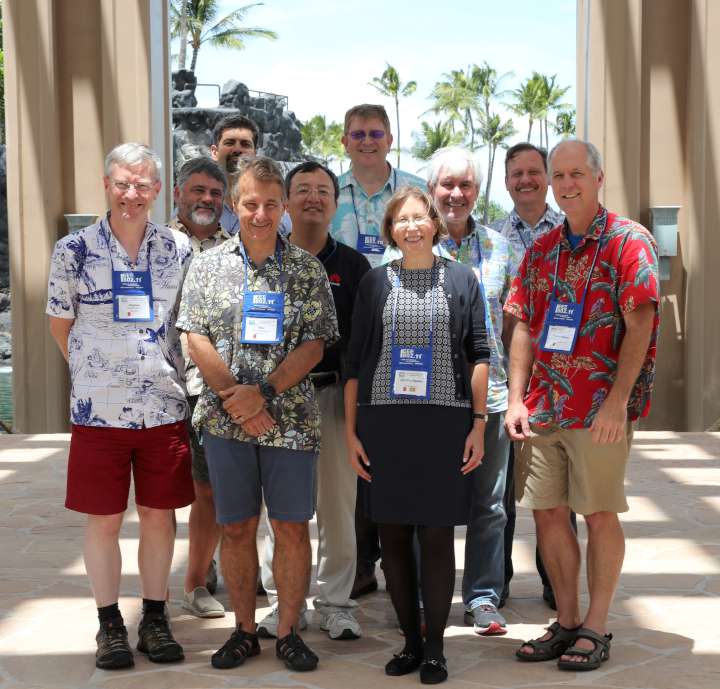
(437,575)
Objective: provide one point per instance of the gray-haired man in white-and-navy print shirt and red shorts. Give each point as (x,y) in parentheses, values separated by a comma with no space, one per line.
(112,299)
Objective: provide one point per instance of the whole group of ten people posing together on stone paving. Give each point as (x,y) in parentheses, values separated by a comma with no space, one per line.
(282,331)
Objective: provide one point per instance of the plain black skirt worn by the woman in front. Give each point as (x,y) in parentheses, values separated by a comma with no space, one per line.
(415,454)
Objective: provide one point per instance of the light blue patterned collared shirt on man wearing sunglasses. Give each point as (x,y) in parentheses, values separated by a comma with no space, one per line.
(357,211)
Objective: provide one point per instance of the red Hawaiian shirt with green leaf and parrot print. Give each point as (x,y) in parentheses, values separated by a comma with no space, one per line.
(568,389)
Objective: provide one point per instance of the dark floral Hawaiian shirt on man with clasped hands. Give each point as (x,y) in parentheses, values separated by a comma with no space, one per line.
(212,306)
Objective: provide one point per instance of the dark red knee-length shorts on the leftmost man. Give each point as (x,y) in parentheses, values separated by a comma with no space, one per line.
(101,460)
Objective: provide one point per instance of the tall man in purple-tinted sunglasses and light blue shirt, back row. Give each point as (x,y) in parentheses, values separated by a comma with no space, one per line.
(365,190)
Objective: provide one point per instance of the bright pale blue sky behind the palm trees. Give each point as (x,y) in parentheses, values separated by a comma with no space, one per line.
(328,51)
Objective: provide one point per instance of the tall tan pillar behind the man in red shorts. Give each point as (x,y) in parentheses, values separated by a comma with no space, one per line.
(80,77)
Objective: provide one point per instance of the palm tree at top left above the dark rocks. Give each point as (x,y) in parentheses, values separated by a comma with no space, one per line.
(225,33)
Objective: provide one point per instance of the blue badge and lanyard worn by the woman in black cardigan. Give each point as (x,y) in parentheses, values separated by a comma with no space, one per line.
(411,366)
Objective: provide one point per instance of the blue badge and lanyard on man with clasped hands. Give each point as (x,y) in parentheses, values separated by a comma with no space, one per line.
(262,312)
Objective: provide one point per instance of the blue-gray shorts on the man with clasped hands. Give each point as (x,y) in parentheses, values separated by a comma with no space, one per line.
(242,474)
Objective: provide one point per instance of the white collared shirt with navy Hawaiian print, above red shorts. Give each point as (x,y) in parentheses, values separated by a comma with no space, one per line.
(123,375)
